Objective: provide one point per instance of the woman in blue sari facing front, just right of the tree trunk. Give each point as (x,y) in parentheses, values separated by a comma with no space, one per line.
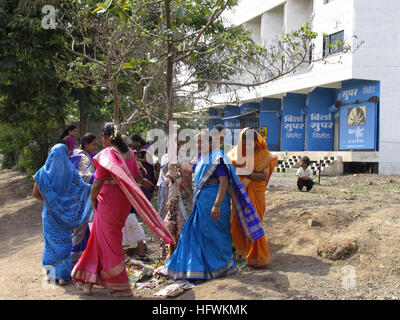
(205,248)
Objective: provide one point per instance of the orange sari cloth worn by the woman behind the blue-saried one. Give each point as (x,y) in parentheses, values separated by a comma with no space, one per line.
(255,253)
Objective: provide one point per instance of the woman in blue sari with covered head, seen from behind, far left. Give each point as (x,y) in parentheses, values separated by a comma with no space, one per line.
(66,206)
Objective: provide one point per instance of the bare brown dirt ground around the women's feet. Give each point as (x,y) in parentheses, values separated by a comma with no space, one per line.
(355,222)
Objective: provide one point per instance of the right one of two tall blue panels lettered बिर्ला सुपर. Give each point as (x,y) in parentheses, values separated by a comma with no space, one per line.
(320,121)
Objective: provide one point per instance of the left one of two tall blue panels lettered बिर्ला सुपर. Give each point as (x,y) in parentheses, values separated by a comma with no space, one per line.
(293,122)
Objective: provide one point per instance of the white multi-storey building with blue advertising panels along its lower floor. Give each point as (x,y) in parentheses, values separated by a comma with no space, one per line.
(298,111)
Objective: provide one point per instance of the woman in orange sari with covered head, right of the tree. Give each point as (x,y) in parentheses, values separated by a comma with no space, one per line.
(254,177)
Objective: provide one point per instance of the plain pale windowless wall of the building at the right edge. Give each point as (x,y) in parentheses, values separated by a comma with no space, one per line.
(378,24)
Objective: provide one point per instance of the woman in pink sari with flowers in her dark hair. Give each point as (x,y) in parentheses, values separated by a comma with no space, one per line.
(114,191)
